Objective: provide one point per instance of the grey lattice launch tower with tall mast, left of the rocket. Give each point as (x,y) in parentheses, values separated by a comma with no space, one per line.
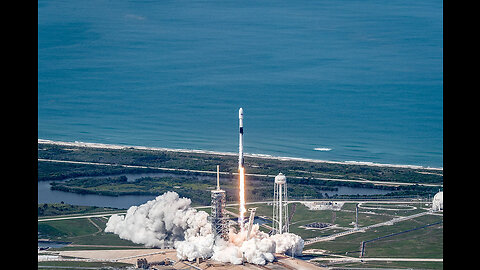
(218,216)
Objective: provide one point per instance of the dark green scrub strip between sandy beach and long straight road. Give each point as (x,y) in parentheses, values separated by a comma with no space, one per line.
(228,163)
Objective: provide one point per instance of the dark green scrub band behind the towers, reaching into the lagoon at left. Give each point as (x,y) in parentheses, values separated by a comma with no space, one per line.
(197,188)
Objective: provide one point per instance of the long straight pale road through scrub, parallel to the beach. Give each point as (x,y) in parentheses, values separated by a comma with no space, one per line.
(251,174)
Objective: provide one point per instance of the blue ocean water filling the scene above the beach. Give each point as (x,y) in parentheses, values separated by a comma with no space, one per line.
(362,78)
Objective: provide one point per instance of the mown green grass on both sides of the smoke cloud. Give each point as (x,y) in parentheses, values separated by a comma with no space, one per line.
(422,243)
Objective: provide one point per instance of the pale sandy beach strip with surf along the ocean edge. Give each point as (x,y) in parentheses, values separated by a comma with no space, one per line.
(265,156)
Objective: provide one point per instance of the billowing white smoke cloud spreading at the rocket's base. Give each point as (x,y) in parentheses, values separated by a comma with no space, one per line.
(169,221)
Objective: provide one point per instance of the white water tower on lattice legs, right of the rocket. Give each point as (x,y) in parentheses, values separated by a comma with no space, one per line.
(280,205)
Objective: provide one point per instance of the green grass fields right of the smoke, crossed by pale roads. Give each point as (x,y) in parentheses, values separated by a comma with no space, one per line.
(422,243)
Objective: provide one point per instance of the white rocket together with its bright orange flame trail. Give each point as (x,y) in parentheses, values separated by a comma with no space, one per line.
(241,173)
